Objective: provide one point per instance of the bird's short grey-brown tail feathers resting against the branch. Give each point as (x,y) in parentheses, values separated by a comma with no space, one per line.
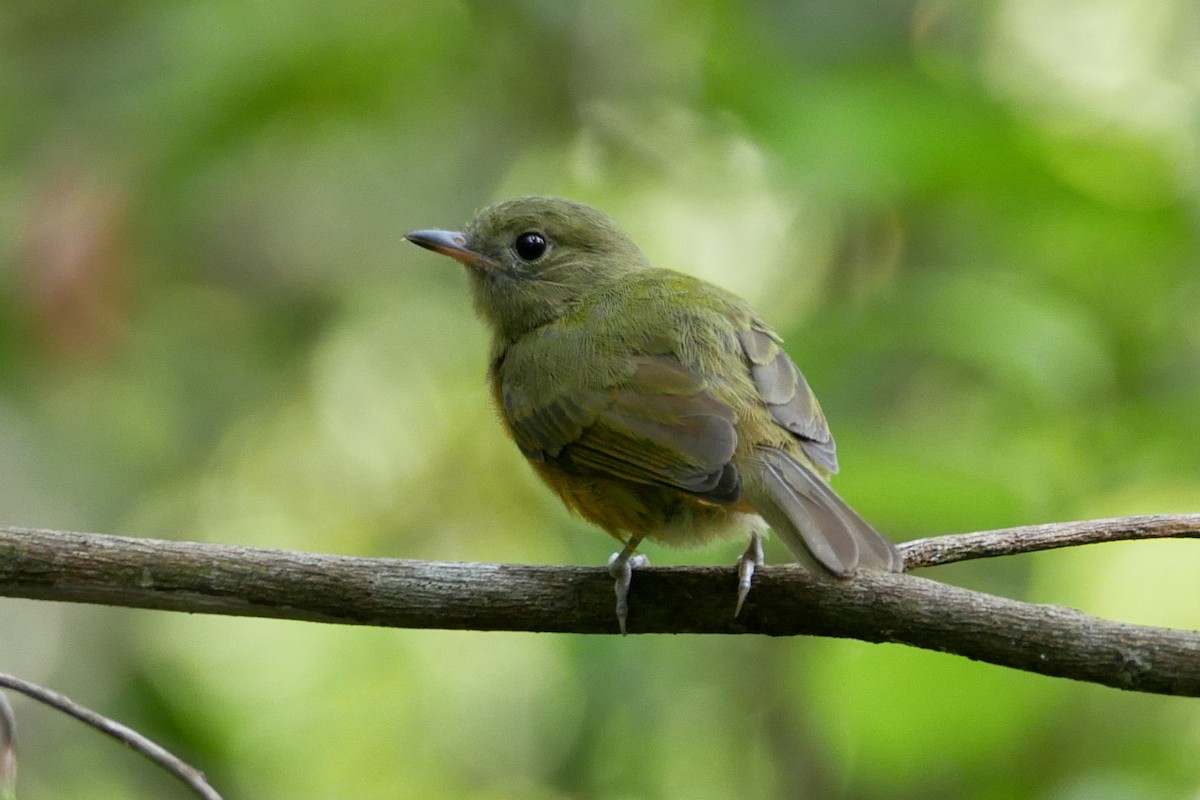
(819,526)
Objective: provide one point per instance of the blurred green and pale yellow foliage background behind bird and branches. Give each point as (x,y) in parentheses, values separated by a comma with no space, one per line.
(976,224)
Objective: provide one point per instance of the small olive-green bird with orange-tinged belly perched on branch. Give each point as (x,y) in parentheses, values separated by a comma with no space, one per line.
(656,405)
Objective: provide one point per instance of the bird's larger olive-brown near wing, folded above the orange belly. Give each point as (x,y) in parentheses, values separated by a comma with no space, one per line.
(658,426)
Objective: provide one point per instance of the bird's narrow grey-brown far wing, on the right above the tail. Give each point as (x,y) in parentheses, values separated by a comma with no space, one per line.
(788,395)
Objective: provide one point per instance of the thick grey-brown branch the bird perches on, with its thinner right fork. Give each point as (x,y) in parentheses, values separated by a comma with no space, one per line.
(785,601)
